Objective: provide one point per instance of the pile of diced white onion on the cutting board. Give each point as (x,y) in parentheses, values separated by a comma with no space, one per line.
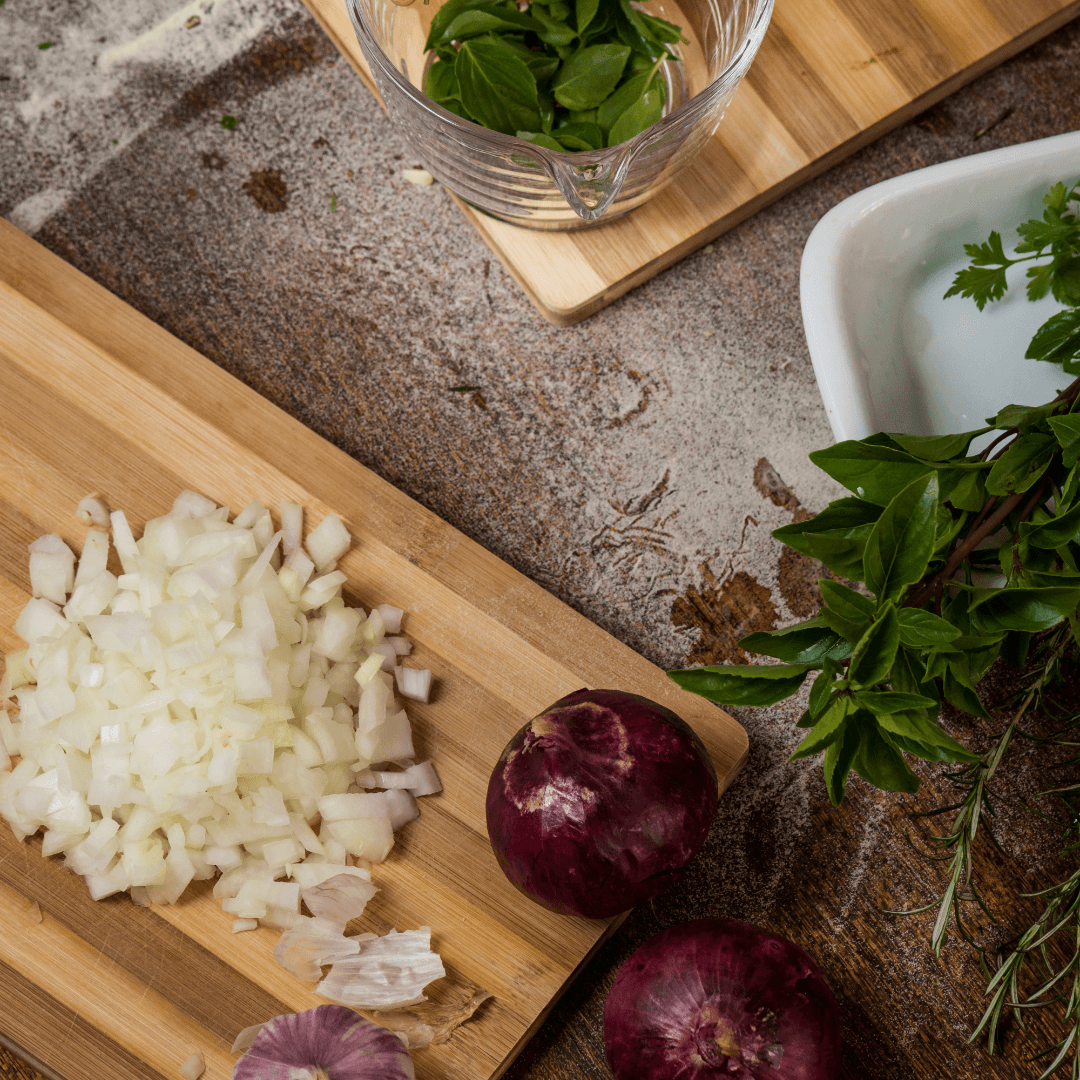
(218,708)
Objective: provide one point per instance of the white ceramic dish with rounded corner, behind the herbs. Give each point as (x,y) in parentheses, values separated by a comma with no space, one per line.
(889,353)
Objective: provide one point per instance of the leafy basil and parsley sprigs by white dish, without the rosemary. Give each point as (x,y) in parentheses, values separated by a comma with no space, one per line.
(912,532)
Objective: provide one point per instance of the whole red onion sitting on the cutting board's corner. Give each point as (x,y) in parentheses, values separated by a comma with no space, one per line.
(599,804)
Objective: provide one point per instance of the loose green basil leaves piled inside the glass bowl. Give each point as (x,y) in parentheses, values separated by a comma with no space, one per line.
(577,76)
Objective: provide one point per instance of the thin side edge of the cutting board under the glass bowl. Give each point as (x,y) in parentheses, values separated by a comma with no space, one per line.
(570,317)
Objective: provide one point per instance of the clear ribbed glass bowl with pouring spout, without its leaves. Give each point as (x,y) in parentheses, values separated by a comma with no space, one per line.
(539,188)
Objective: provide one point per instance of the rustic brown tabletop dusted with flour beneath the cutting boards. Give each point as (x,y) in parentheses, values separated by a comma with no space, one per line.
(633,465)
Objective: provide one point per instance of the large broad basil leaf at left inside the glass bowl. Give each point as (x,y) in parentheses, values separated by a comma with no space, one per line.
(497,88)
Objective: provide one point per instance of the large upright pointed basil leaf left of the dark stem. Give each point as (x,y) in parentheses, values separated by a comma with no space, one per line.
(902,542)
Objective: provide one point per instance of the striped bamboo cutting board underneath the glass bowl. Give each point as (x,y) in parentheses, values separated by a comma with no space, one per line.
(831,77)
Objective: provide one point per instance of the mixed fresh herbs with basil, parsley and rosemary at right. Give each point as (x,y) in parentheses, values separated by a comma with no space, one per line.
(965,558)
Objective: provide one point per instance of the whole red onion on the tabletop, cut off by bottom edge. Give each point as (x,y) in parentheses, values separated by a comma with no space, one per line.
(712,1000)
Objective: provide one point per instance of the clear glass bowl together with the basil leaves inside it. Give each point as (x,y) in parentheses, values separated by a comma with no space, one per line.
(563,114)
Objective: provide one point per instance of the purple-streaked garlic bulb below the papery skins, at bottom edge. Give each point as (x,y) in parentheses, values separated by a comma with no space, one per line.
(328,1042)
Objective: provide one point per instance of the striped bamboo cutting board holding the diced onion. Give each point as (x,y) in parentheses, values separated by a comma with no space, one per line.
(94,397)
